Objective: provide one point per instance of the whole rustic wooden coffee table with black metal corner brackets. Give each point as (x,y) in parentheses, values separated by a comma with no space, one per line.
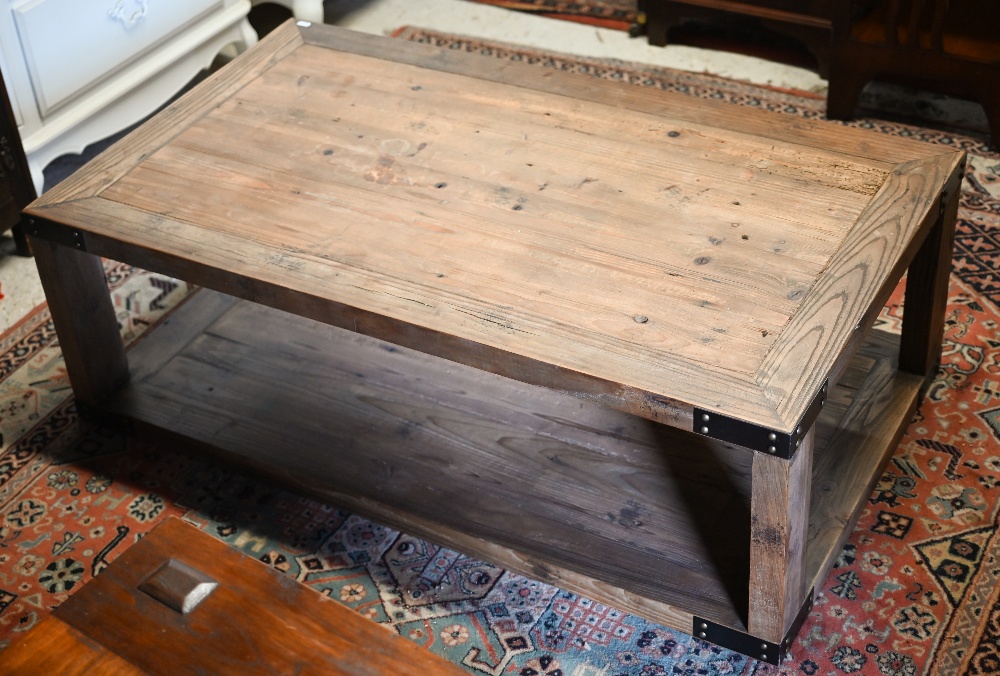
(692,284)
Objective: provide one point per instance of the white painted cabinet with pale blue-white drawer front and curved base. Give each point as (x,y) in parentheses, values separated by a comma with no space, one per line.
(78,71)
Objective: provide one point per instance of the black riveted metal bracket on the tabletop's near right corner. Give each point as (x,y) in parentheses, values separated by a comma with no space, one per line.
(757,437)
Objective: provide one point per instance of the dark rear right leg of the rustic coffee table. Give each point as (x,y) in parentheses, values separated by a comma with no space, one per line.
(927,295)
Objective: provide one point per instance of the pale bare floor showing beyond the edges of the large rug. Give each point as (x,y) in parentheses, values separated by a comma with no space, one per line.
(19,284)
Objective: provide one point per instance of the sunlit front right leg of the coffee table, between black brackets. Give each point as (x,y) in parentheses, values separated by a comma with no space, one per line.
(779,520)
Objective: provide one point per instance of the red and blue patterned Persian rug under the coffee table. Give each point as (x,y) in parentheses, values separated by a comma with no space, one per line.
(915,590)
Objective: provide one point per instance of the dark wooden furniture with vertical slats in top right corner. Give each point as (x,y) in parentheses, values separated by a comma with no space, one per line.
(951,46)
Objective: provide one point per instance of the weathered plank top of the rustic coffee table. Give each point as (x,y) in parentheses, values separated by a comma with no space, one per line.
(650,250)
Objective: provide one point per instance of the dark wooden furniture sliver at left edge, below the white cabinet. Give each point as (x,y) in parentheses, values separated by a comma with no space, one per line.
(16,189)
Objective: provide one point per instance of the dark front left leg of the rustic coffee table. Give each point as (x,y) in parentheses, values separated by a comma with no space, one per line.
(77,293)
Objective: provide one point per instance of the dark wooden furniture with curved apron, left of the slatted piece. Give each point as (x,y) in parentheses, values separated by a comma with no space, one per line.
(808,21)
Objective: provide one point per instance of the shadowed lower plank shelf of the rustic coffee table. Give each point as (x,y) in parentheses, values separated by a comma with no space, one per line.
(645,518)
